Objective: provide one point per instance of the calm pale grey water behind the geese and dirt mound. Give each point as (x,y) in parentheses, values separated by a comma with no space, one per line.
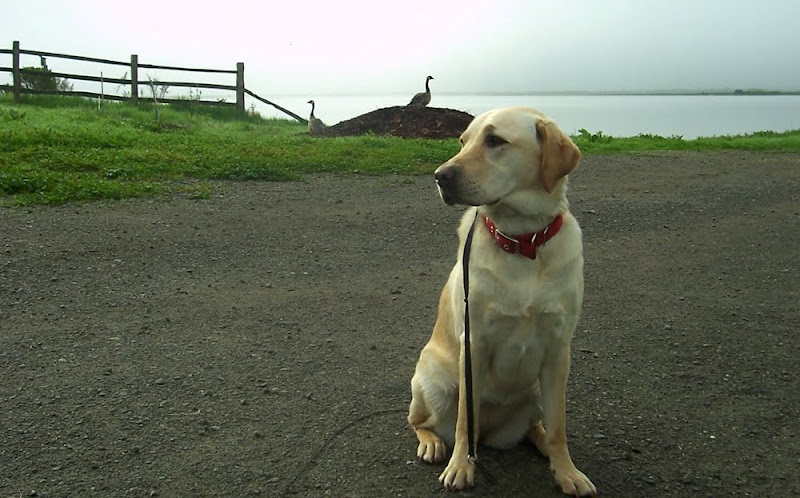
(689,116)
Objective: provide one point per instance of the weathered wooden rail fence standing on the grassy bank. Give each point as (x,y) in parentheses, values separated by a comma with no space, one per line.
(134,82)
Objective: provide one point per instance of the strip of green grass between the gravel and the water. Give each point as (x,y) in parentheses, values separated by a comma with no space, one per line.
(56,149)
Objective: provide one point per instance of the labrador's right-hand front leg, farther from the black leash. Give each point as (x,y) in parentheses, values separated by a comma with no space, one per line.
(553,380)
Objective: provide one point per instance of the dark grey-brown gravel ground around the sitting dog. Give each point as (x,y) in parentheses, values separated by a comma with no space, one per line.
(178,347)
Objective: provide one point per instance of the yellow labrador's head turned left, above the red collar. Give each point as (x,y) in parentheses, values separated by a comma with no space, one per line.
(506,153)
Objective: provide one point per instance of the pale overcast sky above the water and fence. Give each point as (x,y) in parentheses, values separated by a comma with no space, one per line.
(371,46)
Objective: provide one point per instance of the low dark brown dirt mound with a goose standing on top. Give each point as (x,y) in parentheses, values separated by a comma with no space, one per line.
(406,122)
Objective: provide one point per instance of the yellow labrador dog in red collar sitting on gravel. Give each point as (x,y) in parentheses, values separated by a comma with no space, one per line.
(525,296)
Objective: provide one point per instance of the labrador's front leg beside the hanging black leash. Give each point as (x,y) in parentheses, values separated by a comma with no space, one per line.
(460,471)
